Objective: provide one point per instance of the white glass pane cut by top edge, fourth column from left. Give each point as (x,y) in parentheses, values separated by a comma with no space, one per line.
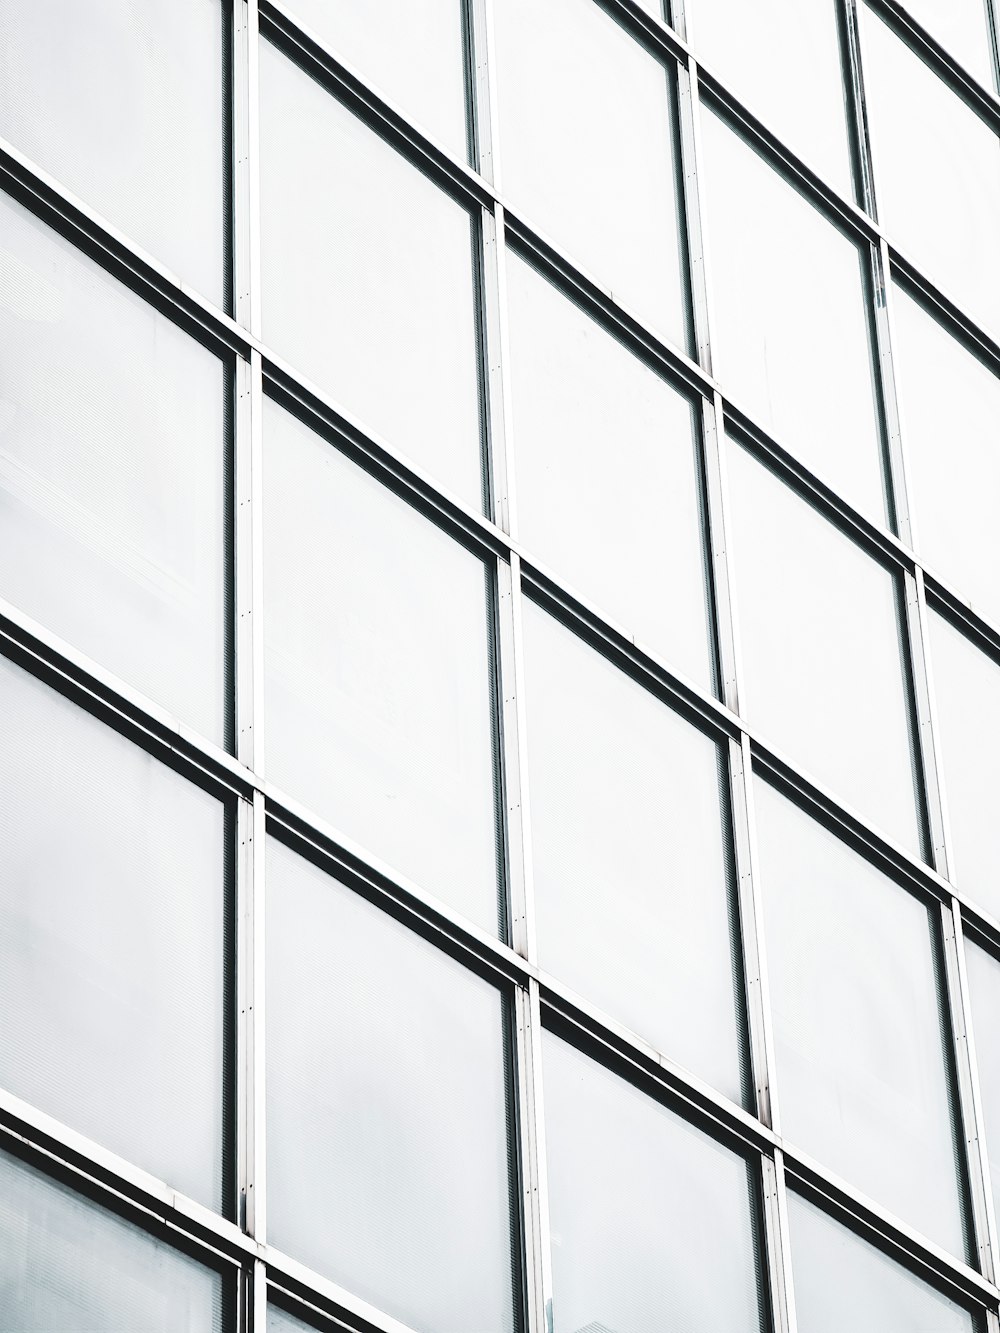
(783,59)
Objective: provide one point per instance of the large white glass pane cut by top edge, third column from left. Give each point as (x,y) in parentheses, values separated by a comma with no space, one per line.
(598,174)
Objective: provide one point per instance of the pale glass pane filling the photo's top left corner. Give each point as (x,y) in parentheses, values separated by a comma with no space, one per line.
(123,105)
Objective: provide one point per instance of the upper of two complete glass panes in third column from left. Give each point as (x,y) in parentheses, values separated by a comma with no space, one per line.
(607,474)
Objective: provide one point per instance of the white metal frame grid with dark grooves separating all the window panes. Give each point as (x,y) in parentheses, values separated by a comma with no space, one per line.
(242,1246)
